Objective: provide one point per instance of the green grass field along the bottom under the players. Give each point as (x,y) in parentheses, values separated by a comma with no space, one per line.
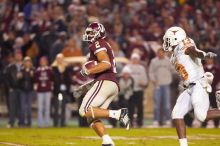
(86,137)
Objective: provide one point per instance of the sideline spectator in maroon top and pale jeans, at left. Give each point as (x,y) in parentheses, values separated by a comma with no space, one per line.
(43,86)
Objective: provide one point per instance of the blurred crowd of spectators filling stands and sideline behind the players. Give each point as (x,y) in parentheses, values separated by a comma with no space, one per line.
(35,36)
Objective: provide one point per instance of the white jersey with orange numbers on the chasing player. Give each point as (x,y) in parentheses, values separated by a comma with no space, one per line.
(190,69)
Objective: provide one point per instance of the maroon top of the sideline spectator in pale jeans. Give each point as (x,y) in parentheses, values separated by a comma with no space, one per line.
(43,78)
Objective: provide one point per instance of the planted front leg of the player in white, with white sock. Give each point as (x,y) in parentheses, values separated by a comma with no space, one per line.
(182,107)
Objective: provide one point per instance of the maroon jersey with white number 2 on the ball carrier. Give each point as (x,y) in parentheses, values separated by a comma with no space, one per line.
(96,47)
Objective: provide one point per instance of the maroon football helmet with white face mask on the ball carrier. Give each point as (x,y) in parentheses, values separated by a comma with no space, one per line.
(93,32)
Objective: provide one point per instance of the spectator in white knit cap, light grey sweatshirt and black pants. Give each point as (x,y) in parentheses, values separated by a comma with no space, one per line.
(139,75)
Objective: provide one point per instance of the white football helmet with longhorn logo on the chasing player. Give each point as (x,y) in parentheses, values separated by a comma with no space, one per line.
(172,37)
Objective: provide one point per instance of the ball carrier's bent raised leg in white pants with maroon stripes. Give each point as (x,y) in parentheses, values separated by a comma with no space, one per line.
(95,97)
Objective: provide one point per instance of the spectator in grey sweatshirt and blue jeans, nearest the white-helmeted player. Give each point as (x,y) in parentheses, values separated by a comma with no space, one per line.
(160,73)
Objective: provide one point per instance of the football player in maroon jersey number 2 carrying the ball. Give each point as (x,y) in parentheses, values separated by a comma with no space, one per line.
(105,88)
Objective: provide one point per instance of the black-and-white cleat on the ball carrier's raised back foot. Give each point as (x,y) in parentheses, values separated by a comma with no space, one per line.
(124,119)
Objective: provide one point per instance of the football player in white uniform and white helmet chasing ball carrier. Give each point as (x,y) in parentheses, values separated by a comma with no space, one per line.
(186,59)
